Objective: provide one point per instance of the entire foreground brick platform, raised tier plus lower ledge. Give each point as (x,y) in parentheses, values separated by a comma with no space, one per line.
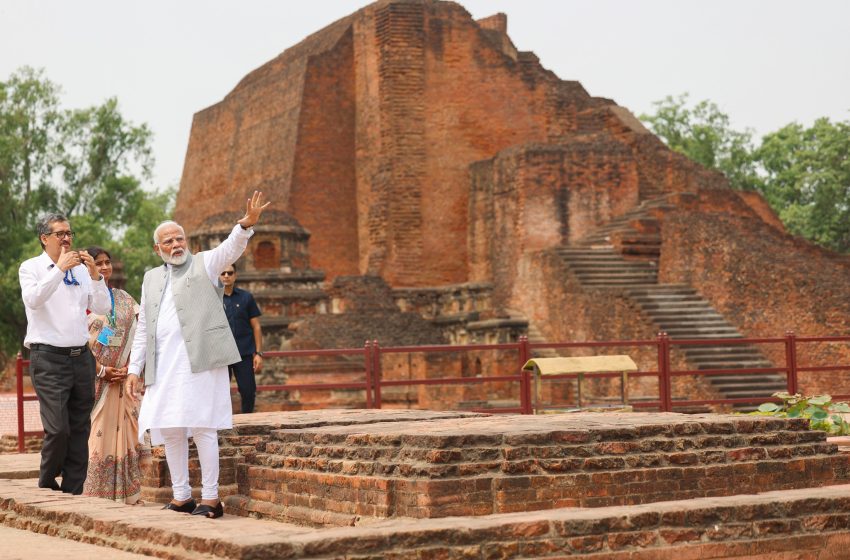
(415,484)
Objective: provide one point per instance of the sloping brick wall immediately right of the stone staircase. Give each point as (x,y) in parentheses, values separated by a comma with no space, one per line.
(762,280)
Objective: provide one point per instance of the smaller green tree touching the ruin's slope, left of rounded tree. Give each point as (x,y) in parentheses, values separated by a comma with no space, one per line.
(704,134)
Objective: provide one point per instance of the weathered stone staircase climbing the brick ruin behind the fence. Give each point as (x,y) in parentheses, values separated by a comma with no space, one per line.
(677,310)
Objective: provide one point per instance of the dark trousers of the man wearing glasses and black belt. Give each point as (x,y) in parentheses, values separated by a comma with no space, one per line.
(65,388)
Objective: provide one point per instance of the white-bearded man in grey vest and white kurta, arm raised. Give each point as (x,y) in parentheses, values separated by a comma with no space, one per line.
(183,345)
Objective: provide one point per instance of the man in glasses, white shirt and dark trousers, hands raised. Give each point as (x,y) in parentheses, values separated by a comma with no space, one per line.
(57,287)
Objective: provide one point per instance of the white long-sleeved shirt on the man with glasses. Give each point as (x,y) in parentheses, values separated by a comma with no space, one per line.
(56,312)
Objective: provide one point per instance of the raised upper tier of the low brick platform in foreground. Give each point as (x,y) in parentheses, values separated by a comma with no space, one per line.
(347,468)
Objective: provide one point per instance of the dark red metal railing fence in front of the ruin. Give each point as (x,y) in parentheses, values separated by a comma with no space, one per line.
(373,380)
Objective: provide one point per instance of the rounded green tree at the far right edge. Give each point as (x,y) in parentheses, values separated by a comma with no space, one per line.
(807,180)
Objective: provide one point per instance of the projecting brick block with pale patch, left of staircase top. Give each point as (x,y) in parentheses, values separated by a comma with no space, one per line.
(534,197)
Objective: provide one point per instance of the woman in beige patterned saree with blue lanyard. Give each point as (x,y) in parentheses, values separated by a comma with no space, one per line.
(115,455)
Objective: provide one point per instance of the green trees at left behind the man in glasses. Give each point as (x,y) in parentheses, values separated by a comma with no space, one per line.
(87,163)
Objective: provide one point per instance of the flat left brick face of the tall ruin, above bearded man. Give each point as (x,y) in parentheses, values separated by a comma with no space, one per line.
(249,140)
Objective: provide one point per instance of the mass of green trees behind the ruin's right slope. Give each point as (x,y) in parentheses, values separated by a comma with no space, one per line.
(803,173)
